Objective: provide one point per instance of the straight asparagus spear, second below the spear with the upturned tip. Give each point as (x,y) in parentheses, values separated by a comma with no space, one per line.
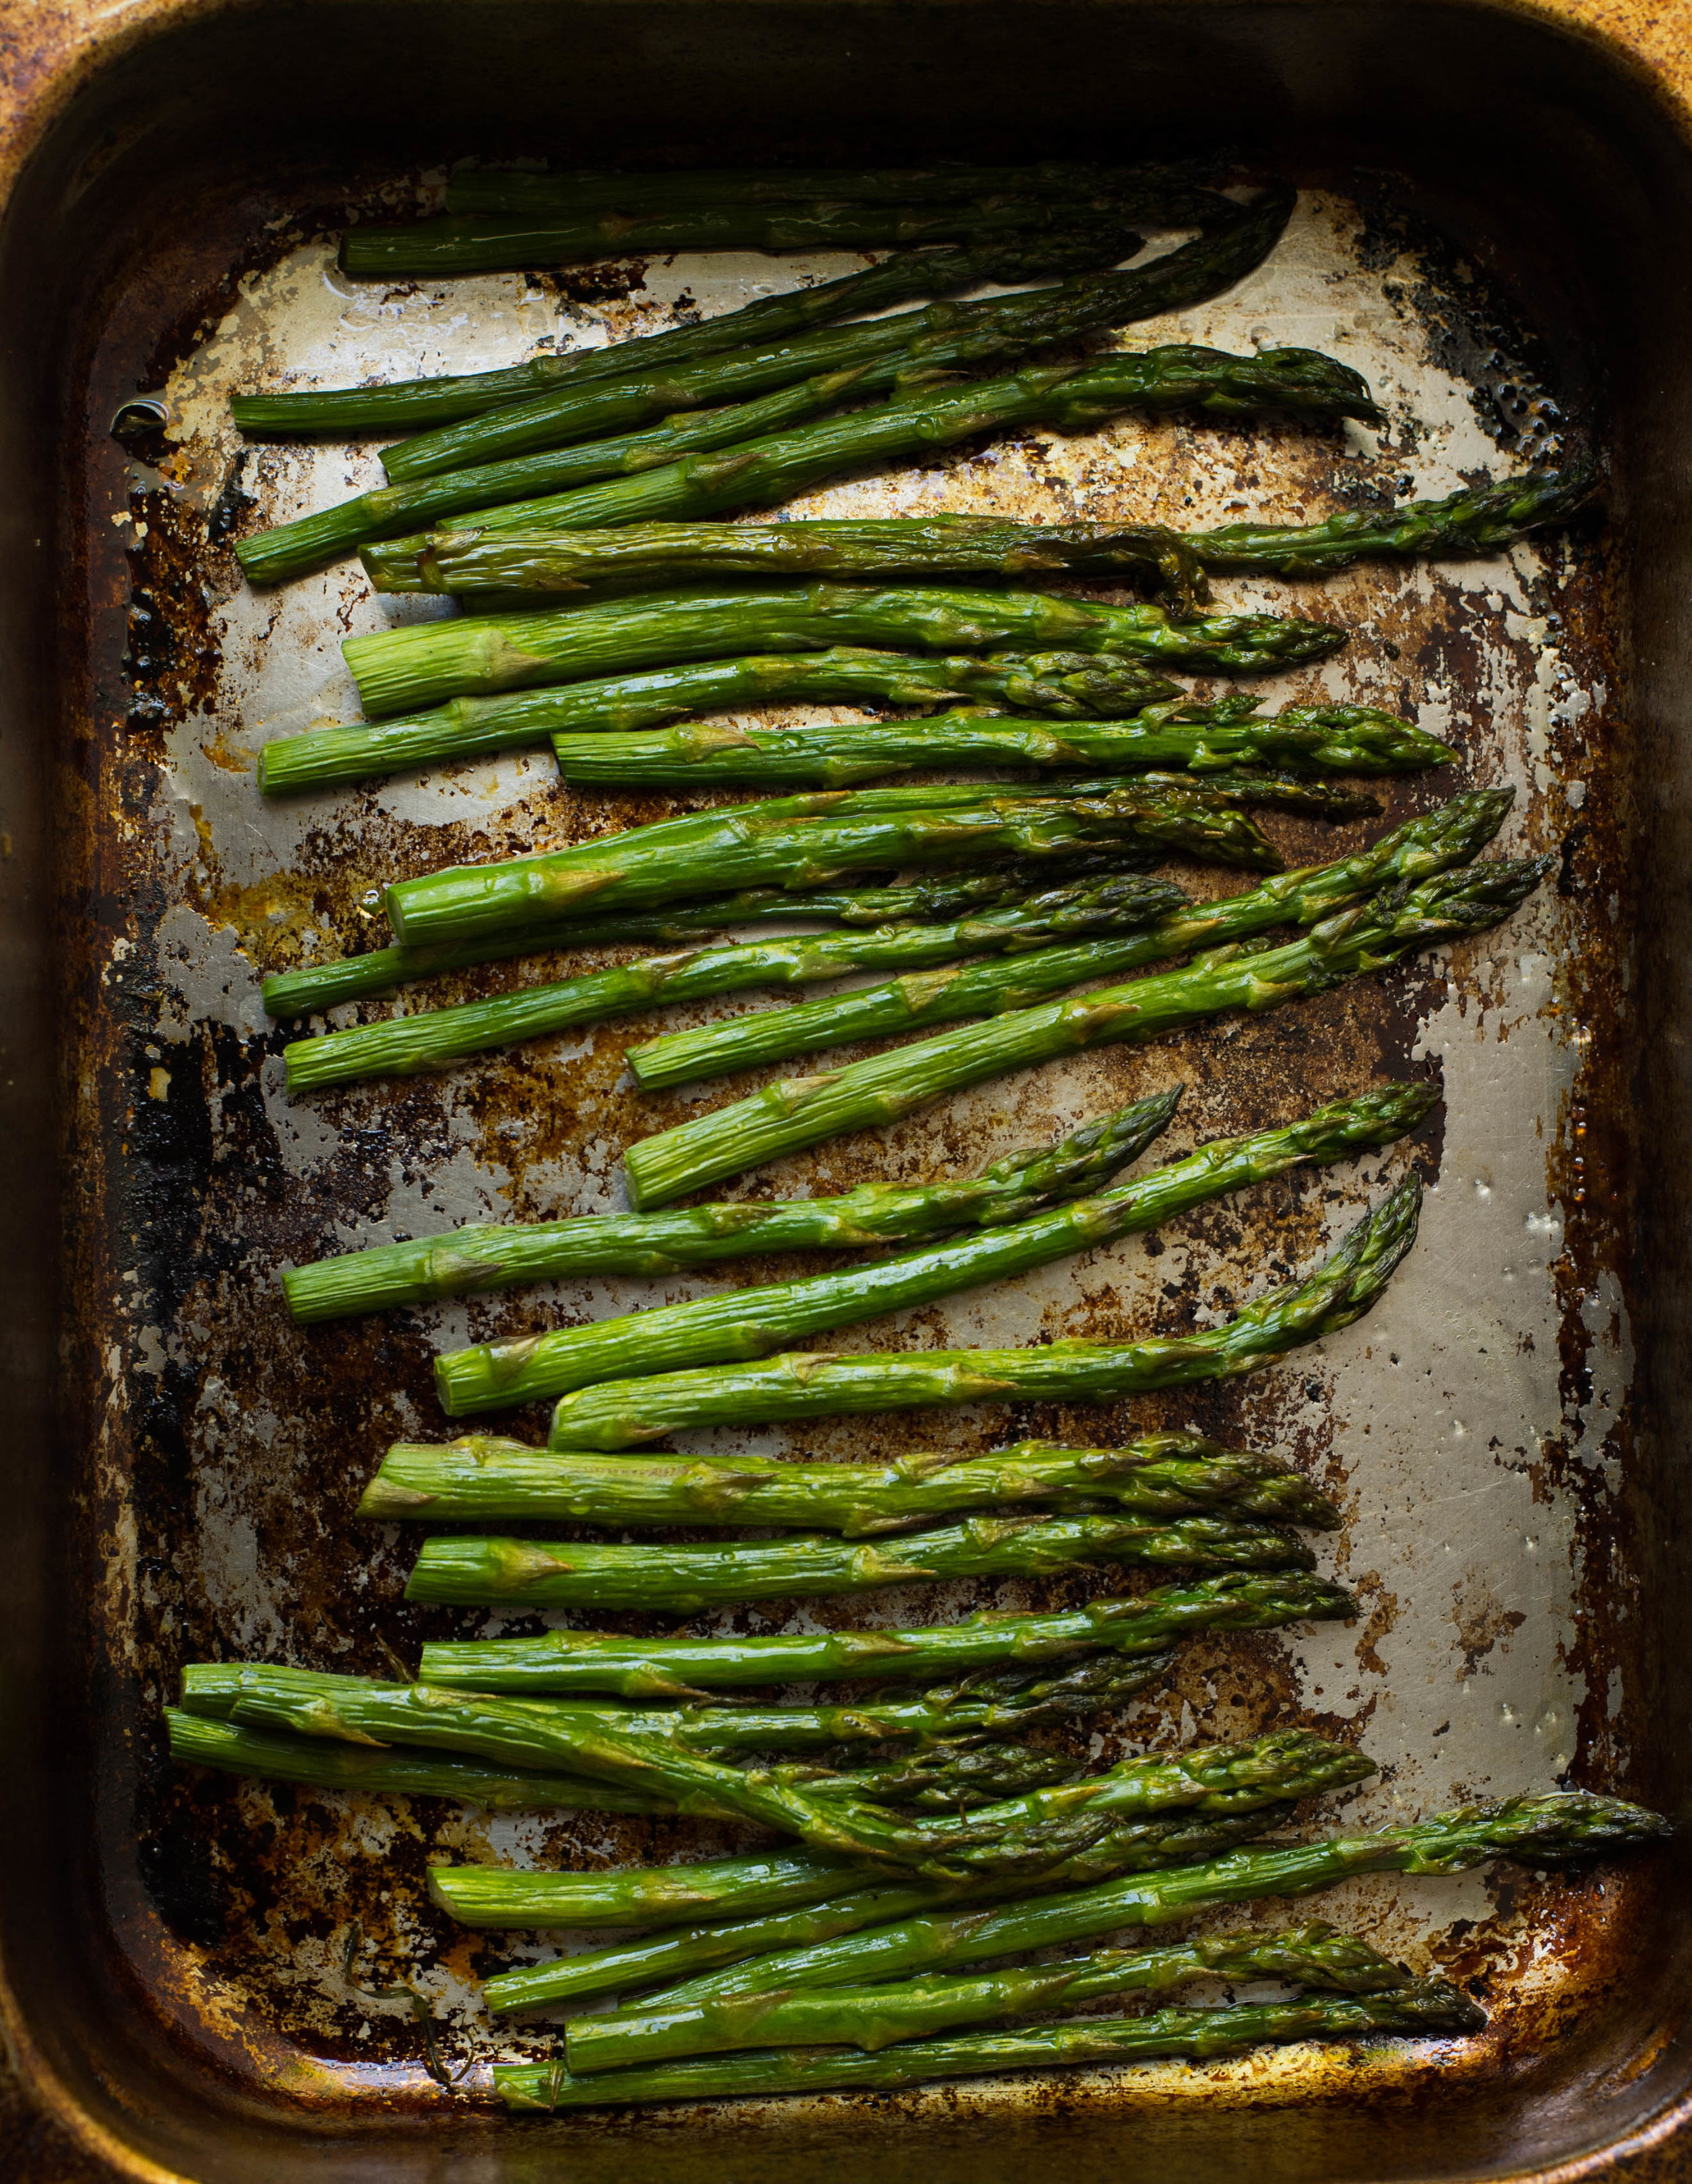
(473,1571)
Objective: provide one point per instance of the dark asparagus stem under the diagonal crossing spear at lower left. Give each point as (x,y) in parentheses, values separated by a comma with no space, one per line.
(320,1764)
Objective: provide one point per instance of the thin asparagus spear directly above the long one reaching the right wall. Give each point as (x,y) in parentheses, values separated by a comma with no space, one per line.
(1136,1849)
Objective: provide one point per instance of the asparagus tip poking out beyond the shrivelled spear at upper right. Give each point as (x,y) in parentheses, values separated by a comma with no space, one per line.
(1481,519)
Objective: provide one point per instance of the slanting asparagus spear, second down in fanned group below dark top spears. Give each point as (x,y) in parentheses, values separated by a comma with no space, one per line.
(892,351)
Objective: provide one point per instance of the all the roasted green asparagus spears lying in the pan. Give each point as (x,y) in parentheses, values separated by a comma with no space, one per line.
(938,1818)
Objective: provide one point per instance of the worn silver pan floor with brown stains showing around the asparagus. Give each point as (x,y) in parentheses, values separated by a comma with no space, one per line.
(1473,1427)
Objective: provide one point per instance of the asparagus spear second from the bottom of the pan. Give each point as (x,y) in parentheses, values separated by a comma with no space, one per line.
(872,2019)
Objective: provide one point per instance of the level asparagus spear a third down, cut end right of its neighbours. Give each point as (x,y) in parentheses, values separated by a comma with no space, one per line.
(833,755)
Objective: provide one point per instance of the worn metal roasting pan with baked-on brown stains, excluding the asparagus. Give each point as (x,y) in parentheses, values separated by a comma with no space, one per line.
(1501,1434)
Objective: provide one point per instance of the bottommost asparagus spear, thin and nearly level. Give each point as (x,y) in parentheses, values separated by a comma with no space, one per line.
(1420,2010)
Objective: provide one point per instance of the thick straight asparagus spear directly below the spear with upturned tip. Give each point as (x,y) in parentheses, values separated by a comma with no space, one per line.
(1160,1475)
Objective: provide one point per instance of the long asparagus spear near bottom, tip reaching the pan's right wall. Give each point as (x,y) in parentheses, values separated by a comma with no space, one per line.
(1553,1829)
